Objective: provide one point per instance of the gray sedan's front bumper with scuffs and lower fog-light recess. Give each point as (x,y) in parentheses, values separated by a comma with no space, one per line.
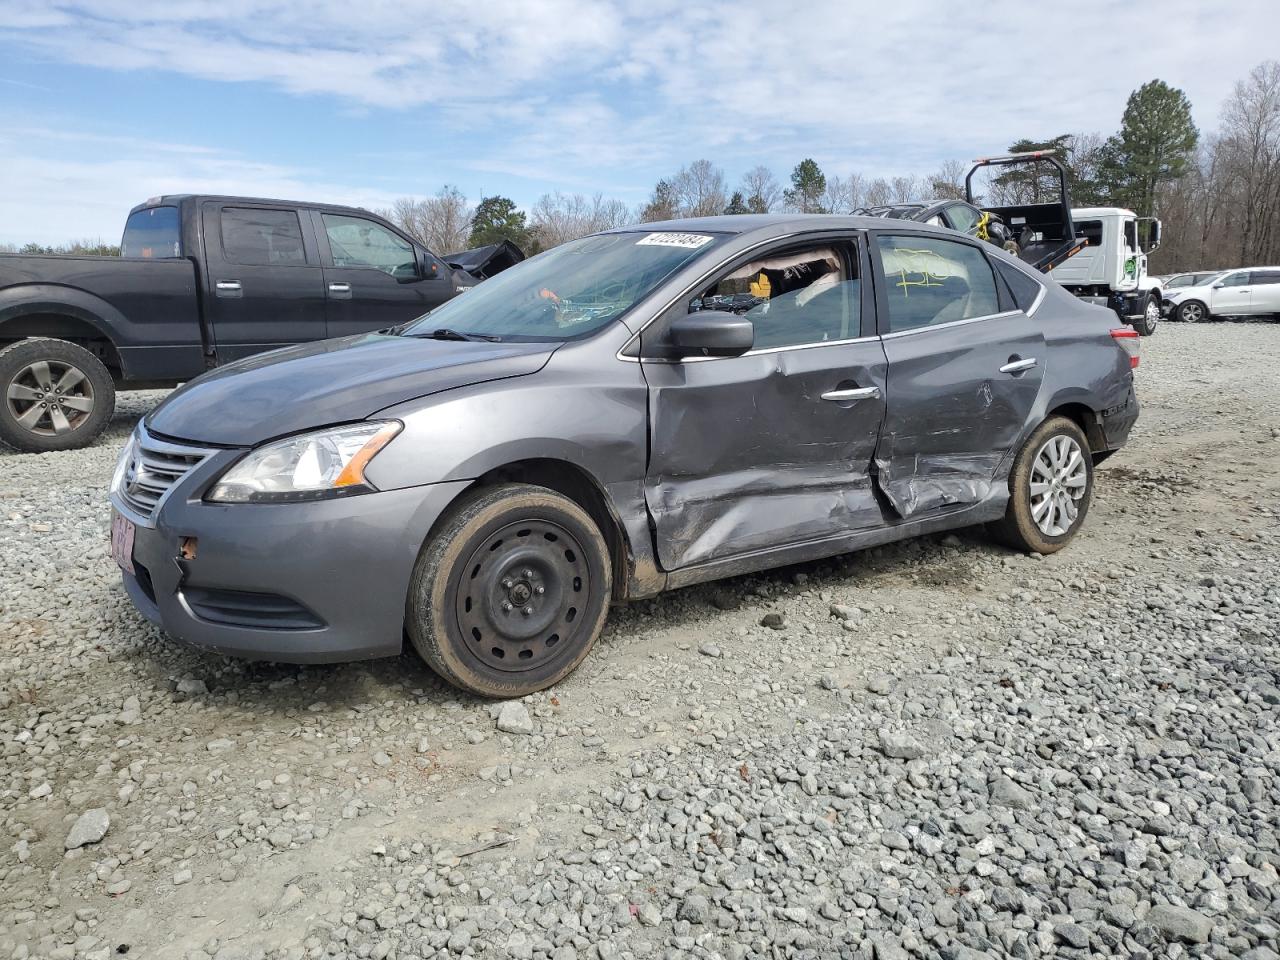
(300,583)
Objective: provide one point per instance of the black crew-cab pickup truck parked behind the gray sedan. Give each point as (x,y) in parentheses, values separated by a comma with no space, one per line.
(202,281)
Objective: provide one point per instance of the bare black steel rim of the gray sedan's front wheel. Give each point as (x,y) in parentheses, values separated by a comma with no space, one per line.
(523,595)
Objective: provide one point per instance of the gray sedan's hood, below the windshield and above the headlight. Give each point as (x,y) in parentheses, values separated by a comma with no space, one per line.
(331,382)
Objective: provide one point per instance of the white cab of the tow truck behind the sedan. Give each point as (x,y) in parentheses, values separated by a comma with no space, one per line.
(1113,266)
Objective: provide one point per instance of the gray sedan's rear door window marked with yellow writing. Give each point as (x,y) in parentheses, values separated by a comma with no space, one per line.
(932,282)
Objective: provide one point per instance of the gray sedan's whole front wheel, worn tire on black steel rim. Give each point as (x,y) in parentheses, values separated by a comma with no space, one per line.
(511,592)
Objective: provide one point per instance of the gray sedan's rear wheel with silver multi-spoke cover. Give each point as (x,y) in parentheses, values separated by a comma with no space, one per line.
(1025,525)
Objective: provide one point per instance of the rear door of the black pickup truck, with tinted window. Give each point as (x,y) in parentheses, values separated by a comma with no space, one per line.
(264,286)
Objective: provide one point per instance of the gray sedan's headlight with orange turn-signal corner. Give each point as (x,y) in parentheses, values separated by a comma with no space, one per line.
(309,468)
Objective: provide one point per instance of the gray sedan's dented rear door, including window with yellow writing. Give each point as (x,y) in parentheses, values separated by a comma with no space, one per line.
(964,371)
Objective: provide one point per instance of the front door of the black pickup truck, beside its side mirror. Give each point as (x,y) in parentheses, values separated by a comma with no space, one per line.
(374,277)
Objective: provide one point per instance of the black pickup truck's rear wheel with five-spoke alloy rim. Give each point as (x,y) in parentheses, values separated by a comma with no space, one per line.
(57,396)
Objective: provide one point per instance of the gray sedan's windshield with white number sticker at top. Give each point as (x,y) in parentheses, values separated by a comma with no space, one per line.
(570,291)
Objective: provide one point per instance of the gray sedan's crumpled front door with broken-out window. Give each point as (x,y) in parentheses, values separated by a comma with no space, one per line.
(774,447)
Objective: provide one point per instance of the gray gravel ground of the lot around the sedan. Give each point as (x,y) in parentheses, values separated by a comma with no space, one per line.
(936,749)
